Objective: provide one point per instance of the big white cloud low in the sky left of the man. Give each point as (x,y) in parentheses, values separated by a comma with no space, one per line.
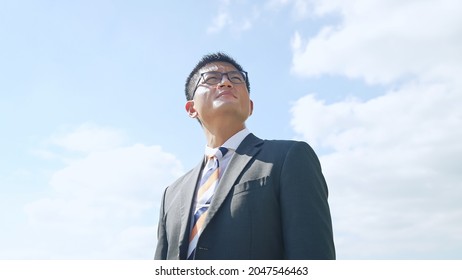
(103,204)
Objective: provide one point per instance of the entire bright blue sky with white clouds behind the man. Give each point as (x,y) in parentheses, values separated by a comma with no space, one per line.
(94,127)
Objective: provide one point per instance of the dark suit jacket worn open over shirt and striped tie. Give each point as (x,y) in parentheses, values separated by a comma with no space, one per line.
(271,203)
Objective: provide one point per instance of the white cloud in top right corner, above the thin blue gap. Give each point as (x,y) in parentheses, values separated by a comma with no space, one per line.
(385,41)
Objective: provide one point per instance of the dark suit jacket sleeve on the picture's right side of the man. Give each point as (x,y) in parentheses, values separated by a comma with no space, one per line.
(307,225)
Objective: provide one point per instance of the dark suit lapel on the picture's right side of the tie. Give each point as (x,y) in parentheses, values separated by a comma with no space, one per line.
(244,153)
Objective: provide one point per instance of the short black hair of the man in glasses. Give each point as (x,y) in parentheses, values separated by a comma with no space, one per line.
(207,59)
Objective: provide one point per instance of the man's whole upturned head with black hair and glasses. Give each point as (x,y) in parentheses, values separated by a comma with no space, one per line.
(217,92)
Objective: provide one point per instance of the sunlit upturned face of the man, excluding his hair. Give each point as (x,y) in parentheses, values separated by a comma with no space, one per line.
(225,100)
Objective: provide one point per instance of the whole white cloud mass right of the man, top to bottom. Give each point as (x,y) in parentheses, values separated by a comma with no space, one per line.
(393,161)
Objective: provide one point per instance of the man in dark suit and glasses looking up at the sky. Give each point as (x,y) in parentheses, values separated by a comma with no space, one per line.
(248,198)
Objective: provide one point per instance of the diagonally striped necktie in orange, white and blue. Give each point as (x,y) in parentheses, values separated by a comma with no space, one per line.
(209,181)
